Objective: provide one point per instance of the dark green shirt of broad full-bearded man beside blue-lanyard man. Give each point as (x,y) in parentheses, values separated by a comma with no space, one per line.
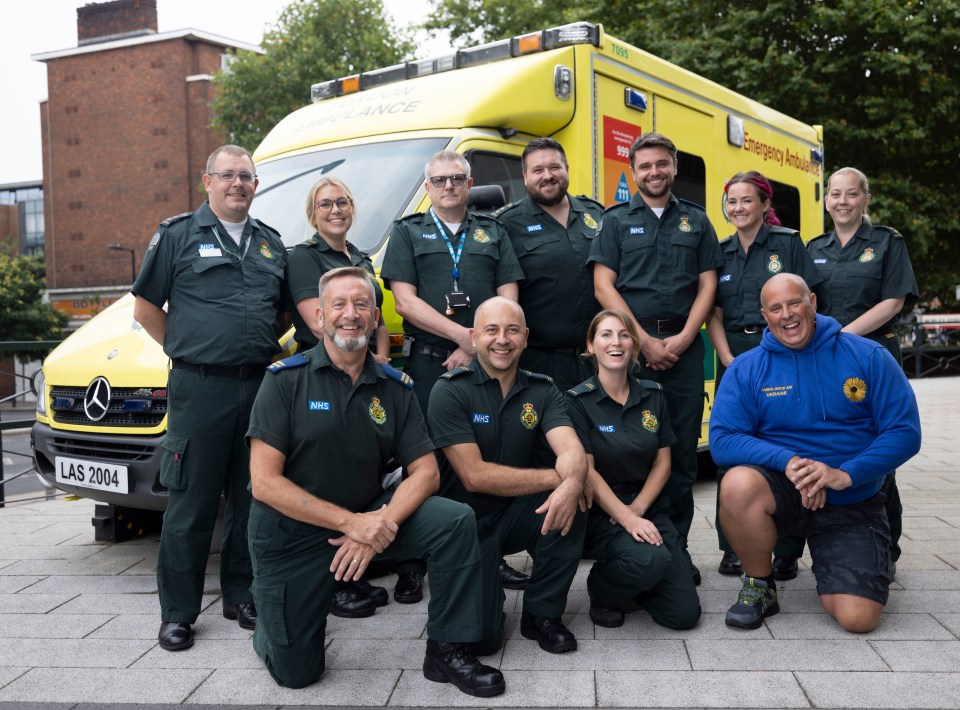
(557,289)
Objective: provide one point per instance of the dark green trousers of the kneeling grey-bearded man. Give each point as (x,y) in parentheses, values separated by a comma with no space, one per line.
(293,585)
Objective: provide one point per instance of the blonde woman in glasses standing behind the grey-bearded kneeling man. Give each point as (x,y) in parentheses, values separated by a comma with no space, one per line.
(330,211)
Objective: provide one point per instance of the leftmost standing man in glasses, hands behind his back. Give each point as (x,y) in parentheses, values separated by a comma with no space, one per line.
(220,272)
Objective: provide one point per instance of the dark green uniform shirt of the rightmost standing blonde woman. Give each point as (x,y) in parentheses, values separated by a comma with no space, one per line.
(873,267)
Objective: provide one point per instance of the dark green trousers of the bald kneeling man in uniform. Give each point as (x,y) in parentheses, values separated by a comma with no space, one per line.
(556,557)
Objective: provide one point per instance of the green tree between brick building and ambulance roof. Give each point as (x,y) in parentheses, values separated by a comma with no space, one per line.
(312,41)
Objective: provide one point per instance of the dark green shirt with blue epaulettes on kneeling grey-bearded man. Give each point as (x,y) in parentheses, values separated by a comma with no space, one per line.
(339,437)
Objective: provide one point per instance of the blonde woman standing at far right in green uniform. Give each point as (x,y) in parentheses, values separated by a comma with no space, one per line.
(868,280)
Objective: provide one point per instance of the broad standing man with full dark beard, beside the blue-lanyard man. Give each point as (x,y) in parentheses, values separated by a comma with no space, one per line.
(551,231)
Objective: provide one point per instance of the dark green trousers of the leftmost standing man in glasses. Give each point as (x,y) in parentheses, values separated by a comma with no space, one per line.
(203,456)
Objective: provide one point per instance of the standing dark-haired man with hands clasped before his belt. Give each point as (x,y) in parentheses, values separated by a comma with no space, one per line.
(656,259)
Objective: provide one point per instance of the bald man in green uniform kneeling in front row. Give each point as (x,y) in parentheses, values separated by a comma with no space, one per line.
(490,418)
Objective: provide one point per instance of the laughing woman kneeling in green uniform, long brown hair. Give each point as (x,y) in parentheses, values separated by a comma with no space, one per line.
(625,429)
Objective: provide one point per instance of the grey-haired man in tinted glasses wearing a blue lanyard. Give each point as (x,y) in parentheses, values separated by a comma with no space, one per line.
(441,265)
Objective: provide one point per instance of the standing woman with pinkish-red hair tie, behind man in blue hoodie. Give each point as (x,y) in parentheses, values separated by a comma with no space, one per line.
(759,249)
